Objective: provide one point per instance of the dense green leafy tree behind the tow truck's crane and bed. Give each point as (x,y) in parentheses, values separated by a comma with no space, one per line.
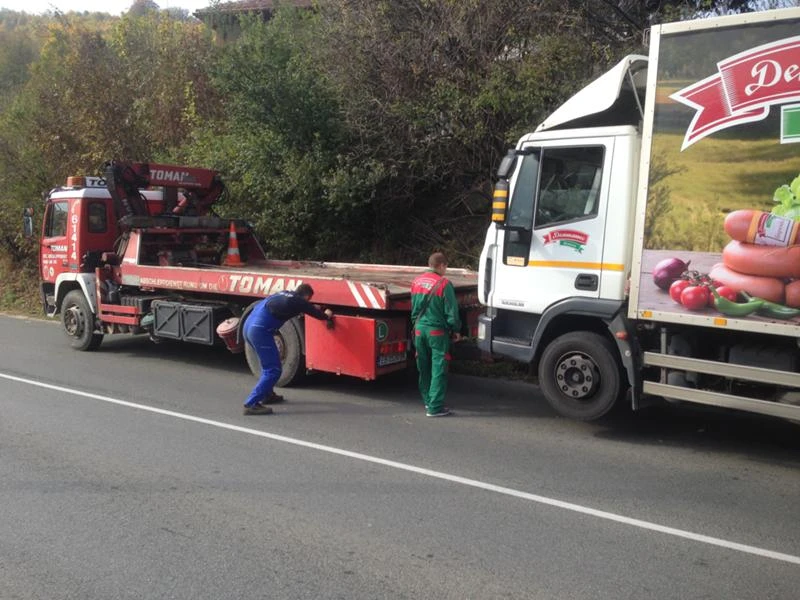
(282,145)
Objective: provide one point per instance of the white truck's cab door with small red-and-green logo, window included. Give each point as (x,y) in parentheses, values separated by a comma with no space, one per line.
(553,239)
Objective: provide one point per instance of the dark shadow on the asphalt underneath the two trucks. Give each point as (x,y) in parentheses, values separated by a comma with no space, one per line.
(702,428)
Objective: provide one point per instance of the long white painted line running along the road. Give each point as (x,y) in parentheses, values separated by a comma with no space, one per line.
(474,483)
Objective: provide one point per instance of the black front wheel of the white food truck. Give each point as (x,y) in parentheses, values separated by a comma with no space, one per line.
(580,376)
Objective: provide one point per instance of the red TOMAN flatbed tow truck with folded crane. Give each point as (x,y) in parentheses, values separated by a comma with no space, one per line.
(140,251)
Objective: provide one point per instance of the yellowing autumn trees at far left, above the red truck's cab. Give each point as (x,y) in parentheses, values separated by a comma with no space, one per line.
(130,88)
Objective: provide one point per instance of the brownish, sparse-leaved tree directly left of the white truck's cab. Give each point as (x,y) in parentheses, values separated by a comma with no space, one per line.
(433,91)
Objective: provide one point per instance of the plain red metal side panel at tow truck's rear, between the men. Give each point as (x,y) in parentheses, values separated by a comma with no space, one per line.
(350,348)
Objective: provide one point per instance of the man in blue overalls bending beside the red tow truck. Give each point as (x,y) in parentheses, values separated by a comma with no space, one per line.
(259,330)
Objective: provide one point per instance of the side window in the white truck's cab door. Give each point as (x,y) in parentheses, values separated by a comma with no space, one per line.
(570,185)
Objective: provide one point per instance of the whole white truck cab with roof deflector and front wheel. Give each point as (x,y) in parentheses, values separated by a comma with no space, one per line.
(556,259)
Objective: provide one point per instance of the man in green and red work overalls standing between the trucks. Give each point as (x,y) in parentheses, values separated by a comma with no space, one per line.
(434,313)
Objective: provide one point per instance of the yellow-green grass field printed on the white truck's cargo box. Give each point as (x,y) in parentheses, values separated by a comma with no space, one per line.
(717,176)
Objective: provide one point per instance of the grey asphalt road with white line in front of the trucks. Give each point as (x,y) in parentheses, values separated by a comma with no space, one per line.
(130,472)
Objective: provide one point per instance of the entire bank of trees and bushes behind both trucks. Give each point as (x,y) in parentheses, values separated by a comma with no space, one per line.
(362,129)
